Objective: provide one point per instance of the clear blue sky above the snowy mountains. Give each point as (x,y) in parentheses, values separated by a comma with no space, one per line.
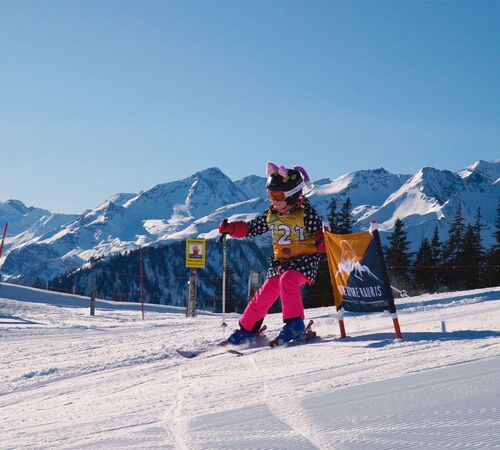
(101,97)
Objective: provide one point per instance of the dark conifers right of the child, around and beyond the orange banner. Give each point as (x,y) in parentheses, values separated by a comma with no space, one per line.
(458,263)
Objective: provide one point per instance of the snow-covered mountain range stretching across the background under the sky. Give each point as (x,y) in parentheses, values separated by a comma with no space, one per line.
(42,244)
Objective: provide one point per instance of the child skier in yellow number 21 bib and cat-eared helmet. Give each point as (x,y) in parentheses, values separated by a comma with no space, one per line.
(297,240)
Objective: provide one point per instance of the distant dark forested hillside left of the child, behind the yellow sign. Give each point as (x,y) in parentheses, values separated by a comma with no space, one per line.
(159,275)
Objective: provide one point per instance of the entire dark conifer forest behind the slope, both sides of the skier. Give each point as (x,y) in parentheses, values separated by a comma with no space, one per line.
(460,262)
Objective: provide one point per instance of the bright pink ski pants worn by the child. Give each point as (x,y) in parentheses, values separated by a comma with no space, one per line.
(288,287)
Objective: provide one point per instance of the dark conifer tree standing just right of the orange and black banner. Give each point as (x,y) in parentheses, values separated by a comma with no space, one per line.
(397,255)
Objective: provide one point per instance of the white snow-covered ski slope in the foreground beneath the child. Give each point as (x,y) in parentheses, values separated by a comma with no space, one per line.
(114,381)
